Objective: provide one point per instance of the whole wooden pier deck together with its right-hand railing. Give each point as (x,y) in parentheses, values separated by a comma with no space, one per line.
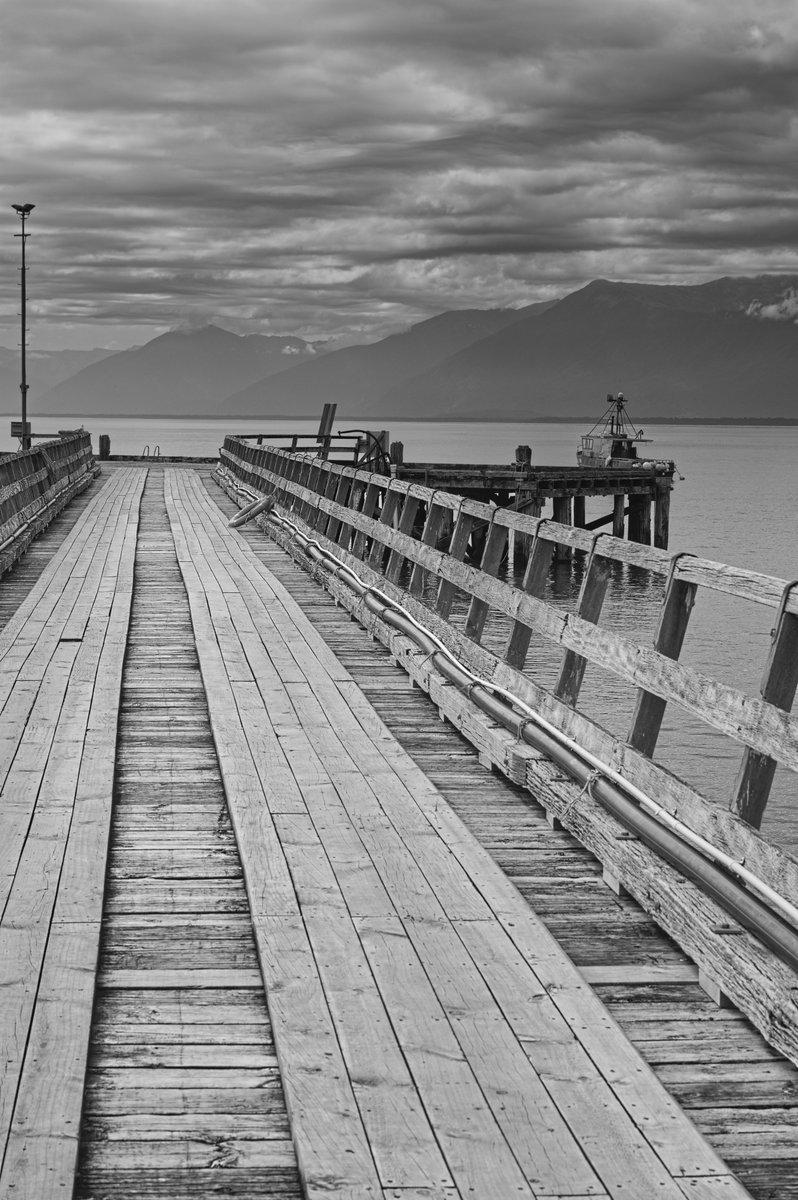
(286,914)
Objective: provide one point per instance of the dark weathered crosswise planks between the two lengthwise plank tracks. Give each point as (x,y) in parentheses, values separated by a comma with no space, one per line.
(183,1088)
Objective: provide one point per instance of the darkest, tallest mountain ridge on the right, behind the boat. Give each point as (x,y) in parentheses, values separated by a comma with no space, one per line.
(706,351)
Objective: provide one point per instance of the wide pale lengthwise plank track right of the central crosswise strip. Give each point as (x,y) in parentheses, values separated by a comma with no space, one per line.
(496,1091)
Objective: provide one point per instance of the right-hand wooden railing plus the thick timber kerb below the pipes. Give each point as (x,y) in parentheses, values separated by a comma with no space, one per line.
(413,543)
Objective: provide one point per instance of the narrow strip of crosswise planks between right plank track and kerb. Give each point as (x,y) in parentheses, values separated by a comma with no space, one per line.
(727,1083)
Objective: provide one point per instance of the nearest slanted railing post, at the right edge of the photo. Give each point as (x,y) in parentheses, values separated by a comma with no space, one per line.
(778,688)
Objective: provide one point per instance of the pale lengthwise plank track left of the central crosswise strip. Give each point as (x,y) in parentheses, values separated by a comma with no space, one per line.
(57,770)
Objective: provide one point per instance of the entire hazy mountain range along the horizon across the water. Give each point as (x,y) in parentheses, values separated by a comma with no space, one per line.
(723,350)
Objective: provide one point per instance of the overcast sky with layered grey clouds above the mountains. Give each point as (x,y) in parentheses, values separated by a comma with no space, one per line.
(346,167)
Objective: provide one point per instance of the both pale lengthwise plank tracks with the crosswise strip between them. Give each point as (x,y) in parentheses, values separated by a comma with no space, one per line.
(434,1039)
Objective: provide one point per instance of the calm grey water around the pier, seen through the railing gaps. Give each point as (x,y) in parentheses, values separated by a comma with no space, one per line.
(737,503)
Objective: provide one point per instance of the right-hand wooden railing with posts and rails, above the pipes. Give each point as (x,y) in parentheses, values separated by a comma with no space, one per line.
(389,523)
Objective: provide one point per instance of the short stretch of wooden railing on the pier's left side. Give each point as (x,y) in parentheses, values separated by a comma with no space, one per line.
(35,485)
